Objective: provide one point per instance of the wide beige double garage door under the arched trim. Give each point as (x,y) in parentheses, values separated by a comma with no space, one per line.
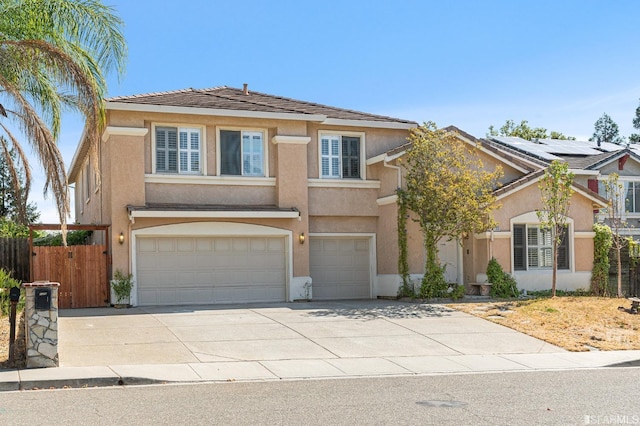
(190,270)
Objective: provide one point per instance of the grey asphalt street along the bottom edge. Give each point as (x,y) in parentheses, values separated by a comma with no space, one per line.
(578,397)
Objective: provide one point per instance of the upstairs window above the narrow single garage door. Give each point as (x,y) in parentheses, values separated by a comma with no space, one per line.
(340,156)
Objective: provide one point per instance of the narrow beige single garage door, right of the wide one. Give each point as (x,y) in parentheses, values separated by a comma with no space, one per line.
(340,268)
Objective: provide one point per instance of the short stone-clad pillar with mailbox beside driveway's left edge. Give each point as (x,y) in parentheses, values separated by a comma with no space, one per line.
(41,323)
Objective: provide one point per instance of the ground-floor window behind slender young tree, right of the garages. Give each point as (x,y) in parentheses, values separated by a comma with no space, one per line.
(533,248)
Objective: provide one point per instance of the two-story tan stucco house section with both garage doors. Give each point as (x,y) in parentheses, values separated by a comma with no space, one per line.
(226,195)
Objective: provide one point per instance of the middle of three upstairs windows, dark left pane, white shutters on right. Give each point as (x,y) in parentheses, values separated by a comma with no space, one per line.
(242,153)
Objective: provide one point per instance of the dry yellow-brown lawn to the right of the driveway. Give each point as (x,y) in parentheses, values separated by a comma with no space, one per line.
(573,323)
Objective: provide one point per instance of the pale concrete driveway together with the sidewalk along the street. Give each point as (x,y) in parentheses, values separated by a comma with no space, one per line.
(106,346)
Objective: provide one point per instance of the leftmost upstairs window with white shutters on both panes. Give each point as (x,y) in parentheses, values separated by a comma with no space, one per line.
(178,150)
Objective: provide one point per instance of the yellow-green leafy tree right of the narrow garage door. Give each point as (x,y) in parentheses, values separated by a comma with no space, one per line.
(450,193)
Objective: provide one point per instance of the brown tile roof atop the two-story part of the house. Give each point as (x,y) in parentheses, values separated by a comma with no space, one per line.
(228,98)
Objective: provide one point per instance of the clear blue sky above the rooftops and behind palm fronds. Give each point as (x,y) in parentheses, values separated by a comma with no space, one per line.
(558,64)
